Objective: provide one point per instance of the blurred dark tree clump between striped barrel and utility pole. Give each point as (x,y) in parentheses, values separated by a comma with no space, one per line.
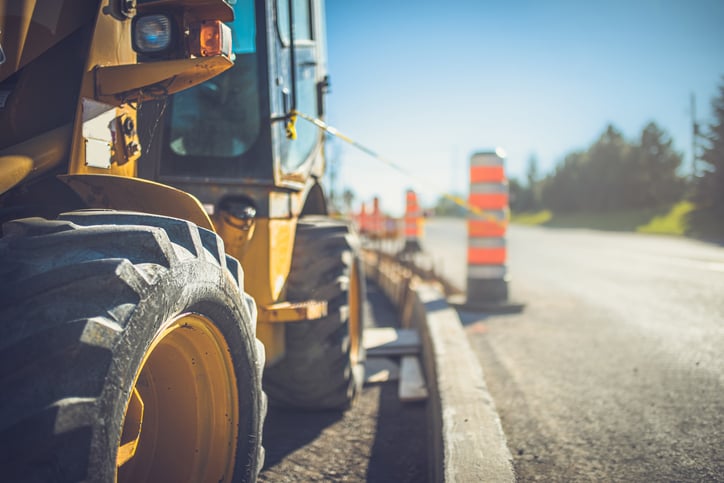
(613,174)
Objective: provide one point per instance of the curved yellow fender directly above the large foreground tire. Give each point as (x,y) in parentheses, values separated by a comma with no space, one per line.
(135,194)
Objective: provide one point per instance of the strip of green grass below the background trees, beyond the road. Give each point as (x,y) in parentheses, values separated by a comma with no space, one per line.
(667,221)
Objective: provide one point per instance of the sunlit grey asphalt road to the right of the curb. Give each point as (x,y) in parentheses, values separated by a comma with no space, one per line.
(615,369)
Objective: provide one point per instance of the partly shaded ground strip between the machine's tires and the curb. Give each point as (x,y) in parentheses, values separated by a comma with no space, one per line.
(378,439)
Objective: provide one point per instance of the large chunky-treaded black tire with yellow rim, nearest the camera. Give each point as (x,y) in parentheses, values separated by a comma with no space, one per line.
(128,353)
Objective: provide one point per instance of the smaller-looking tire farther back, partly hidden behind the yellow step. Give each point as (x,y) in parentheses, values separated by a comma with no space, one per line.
(323,363)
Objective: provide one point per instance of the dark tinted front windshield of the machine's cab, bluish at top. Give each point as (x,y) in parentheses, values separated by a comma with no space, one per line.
(220,118)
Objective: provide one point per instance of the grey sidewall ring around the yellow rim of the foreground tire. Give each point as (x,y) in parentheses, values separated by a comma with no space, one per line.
(192,287)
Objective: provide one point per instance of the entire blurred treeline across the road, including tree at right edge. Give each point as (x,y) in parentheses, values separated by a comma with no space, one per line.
(616,174)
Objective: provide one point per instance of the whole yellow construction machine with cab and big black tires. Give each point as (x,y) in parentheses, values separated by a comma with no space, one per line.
(167,260)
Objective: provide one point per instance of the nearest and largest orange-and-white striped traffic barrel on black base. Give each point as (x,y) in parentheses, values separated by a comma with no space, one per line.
(487,277)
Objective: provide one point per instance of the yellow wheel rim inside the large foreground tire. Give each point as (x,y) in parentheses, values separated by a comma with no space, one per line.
(181,420)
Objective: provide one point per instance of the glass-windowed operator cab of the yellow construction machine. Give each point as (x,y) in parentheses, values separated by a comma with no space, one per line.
(229,136)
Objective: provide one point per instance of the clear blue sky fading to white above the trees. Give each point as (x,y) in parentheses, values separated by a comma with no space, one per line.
(426,83)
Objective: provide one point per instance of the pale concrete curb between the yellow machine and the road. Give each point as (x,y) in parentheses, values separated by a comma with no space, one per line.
(467,443)
